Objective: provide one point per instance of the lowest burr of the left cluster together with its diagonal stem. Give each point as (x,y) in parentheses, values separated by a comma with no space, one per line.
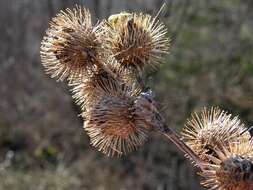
(121,122)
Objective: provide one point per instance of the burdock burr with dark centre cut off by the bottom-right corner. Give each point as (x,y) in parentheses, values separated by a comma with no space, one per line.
(232,168)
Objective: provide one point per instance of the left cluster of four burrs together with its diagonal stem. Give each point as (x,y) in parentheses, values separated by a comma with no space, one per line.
(98,62)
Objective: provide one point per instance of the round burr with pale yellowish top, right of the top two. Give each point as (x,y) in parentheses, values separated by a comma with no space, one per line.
(136,40)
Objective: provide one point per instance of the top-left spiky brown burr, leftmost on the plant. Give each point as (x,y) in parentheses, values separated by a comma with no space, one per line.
(70,47)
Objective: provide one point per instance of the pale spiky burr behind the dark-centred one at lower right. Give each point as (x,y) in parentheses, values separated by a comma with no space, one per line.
(210,129)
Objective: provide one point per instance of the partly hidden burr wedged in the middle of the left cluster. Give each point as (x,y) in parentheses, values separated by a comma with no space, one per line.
(91,88)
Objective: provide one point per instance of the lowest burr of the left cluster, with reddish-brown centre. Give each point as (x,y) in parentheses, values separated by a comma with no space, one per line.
(115,125)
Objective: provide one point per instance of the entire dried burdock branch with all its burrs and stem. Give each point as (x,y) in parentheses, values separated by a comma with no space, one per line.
(103,65)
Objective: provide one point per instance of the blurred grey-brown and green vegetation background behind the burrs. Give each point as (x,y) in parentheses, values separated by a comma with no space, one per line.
(42,143)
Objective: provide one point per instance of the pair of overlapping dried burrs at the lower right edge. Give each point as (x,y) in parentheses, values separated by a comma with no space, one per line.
(221,142)
